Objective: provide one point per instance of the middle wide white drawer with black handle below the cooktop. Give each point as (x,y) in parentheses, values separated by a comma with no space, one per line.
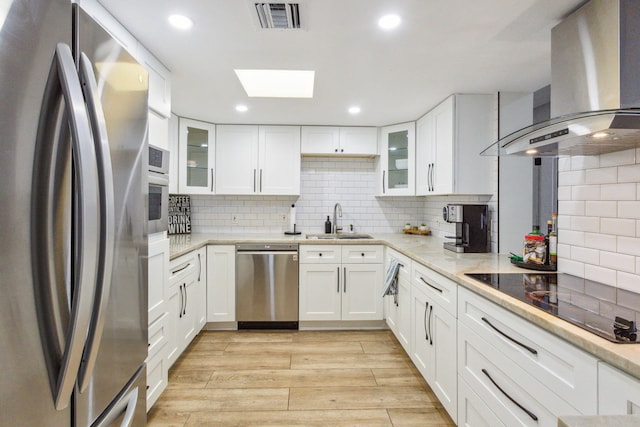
(515,396)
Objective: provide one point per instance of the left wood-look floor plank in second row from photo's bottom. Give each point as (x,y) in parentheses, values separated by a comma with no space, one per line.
(248,399)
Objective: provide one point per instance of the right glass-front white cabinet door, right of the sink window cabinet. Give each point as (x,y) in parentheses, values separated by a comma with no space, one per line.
(397,160)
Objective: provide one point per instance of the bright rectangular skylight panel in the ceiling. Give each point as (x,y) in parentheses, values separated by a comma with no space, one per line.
(277,83)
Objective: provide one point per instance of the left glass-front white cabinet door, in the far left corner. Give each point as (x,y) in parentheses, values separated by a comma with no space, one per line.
(196,157)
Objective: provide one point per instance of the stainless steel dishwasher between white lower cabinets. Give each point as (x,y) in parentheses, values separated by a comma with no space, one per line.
(267,286)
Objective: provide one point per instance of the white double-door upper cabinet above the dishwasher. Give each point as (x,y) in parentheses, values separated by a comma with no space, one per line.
(258,160)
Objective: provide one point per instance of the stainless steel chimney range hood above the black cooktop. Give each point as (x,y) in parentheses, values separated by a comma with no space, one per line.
(595,85)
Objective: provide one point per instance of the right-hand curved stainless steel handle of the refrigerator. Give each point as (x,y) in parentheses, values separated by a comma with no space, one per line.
(107,219)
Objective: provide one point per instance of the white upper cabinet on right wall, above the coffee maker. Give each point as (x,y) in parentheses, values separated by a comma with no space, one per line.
(449,141)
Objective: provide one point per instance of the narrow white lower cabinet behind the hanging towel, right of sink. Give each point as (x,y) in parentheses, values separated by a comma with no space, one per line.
(398,307)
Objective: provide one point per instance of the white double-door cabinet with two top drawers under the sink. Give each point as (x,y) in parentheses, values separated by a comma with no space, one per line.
(345,290)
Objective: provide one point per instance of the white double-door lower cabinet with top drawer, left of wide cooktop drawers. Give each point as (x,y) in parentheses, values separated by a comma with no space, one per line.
(433,335)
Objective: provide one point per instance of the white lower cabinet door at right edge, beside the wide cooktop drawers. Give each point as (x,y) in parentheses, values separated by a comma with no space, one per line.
(618,393)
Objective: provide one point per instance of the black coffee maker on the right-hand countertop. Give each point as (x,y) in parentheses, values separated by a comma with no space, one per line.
(472,229)
